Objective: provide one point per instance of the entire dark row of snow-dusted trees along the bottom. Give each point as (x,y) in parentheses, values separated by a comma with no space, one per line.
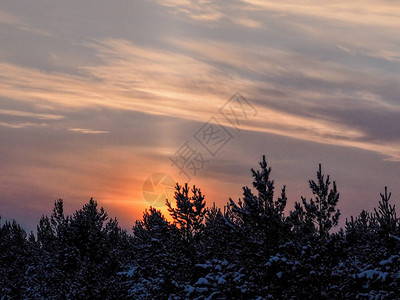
(250,249)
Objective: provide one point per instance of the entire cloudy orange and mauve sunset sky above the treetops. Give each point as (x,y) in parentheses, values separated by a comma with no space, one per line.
(96,96)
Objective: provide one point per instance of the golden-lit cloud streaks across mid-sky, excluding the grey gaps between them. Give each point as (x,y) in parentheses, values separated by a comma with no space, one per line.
(174,84)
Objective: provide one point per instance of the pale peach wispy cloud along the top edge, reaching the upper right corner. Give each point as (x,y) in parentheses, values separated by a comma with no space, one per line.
(367,29)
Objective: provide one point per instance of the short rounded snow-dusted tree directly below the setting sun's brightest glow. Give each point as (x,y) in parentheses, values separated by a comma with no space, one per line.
(159,266)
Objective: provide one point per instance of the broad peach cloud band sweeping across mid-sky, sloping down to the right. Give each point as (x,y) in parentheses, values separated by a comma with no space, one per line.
(298,95)
